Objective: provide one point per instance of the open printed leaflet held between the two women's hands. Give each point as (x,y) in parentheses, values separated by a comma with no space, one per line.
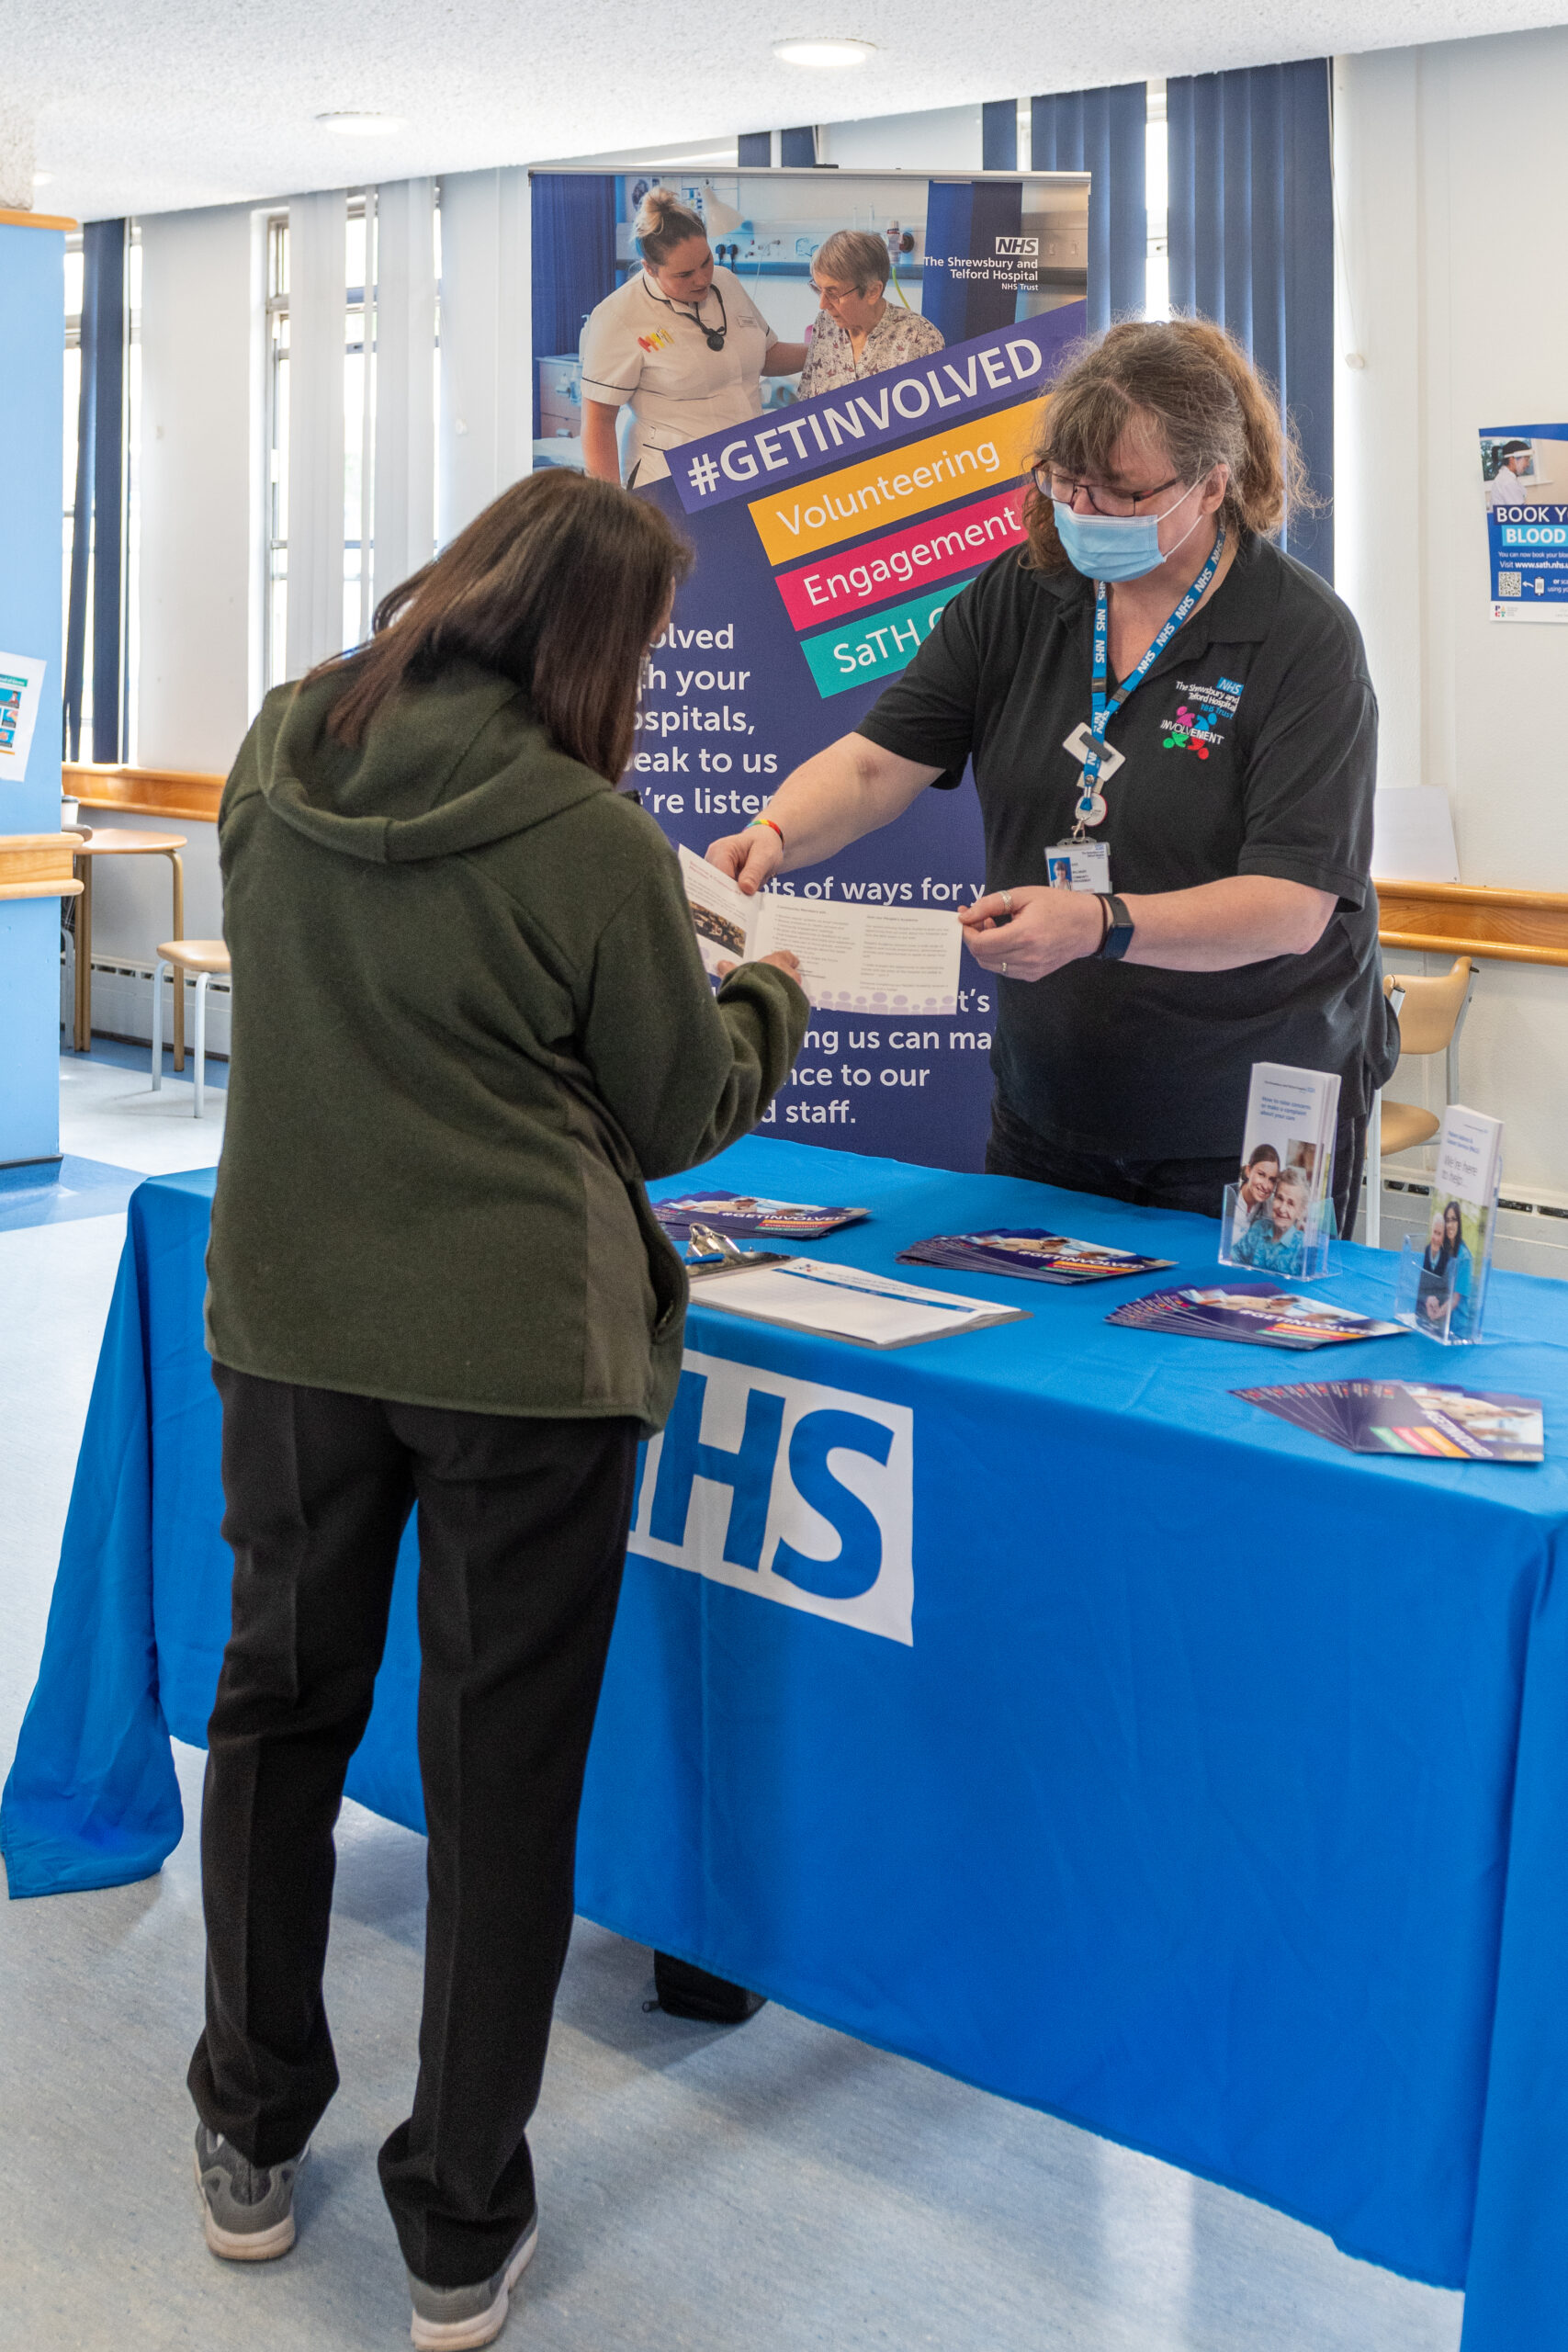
(855,958)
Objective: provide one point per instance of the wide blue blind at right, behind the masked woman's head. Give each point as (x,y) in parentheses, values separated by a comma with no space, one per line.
(1252,246)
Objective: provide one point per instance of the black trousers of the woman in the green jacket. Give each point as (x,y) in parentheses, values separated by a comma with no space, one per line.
(523,1537)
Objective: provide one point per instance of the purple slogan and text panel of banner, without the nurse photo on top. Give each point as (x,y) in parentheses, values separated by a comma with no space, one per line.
(829,542)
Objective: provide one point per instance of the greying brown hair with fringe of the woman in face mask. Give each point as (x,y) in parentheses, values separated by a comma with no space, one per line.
(1205,403)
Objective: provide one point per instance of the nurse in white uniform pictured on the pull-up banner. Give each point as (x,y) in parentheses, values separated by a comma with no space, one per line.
(681,345)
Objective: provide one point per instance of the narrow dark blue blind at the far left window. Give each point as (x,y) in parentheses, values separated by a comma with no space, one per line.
(98,533)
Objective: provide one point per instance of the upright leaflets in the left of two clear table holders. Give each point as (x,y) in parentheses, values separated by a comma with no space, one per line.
(1278,1215)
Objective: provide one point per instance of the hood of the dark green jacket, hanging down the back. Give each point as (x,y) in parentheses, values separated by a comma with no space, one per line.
(445,768)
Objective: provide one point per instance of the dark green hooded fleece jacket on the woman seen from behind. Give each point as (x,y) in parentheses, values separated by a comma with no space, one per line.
(469,1022)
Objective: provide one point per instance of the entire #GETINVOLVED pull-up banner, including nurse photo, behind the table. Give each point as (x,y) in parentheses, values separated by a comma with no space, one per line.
(843,462)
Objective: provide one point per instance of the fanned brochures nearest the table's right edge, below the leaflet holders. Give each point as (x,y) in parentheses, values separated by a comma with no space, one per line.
(1412,1417)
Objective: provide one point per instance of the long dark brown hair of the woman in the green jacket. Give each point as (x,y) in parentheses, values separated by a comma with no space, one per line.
(561,584)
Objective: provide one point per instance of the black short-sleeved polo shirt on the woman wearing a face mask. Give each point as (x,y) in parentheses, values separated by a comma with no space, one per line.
(1249,749)
